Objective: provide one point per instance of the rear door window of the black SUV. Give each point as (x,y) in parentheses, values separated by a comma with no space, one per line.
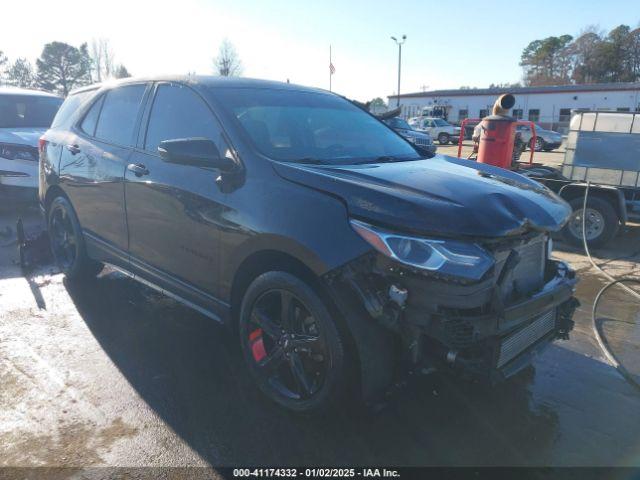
(119,113)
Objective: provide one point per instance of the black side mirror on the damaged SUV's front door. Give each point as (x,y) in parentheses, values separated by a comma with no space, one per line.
(194,152)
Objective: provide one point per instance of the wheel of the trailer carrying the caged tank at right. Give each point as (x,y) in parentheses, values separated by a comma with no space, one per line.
(603,219)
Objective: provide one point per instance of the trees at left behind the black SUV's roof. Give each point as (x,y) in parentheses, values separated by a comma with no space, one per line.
(62,67)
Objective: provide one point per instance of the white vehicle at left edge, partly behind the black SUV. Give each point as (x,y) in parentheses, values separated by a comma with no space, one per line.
(24,117)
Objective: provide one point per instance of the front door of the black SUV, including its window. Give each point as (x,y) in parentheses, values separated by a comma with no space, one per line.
(173,211)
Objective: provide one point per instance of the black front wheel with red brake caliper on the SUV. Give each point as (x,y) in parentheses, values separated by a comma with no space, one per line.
(272,344)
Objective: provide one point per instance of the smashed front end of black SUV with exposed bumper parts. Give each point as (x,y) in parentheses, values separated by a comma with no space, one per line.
(489,329)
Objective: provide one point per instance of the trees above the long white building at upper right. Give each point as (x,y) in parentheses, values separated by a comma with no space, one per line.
(592,57)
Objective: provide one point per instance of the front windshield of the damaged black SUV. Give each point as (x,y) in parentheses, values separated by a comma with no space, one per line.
(300,126)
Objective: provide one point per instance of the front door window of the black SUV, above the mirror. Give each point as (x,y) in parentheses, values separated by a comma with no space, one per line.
(178,112)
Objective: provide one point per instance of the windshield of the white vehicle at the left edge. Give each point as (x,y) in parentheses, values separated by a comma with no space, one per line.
(33,111)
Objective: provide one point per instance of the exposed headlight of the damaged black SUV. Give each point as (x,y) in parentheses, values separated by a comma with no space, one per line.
(449,257)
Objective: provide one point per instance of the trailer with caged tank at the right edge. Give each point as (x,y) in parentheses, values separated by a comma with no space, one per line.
(602,150)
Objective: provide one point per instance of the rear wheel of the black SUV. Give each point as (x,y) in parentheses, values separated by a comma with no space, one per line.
(67,242)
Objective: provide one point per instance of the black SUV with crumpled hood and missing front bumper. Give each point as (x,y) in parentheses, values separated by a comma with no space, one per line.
(330,244)
